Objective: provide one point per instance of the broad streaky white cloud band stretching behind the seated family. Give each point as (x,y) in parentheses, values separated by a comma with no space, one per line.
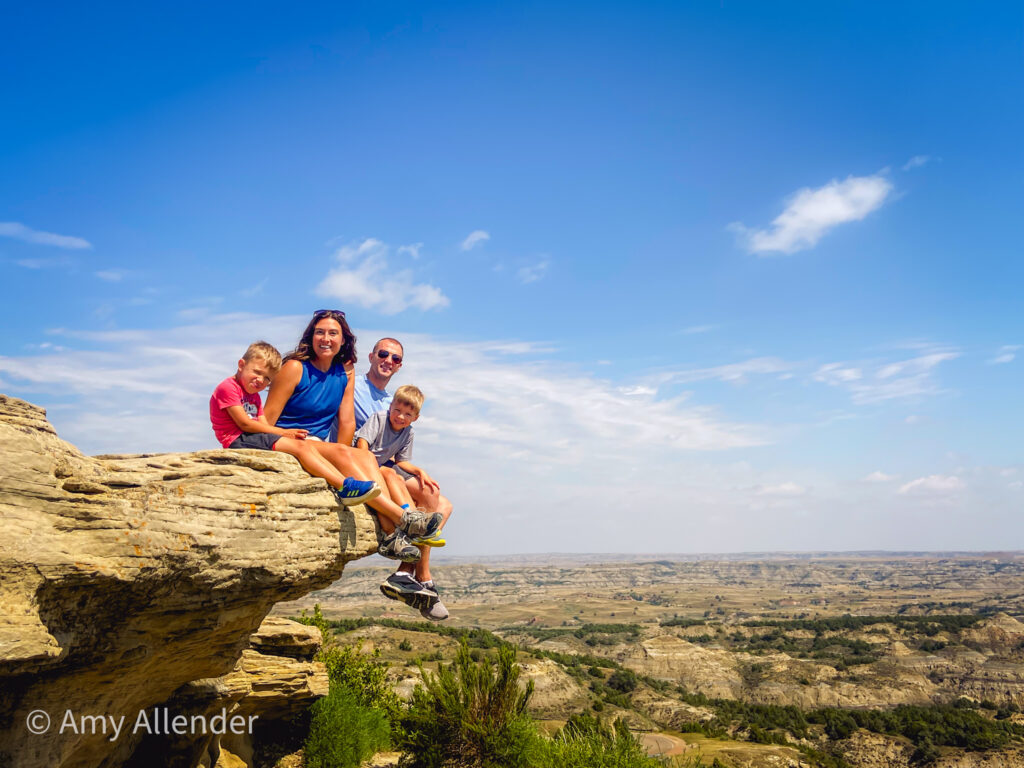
(506,399)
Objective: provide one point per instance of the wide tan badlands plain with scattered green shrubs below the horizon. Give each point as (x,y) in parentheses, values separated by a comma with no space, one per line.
(752,660)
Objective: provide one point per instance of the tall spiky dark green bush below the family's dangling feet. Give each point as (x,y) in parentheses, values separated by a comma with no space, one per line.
(472,715)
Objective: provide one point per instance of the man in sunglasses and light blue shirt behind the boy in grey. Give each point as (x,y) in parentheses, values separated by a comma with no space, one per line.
(413,583)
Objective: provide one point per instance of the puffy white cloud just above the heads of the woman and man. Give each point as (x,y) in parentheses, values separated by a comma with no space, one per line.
(366,279)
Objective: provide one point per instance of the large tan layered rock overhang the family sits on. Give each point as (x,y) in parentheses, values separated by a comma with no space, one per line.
(125,578)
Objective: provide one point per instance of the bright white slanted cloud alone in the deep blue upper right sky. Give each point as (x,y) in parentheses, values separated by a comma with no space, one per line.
(812,214)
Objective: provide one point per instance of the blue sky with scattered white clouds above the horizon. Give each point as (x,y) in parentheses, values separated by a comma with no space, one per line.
(748,275)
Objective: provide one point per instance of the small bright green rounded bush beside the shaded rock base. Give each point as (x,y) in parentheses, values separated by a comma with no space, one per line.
(344,734)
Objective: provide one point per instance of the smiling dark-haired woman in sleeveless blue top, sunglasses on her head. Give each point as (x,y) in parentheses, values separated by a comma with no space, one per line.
(315,388)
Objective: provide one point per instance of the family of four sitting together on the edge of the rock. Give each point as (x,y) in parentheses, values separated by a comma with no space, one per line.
(348,431)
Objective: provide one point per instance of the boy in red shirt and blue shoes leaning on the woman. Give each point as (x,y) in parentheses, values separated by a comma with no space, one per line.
(237,416)
